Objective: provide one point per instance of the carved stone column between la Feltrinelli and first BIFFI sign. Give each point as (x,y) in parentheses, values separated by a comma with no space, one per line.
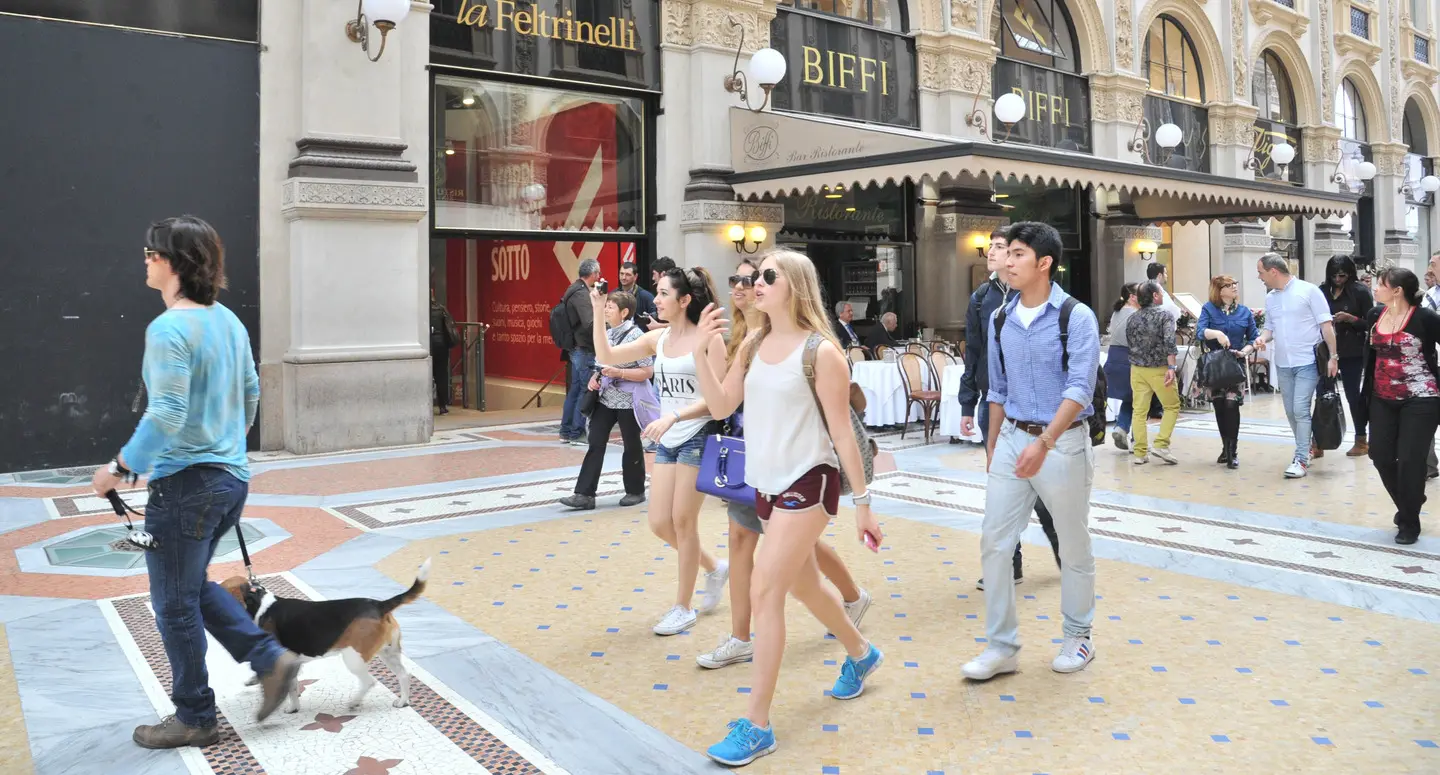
(698,54)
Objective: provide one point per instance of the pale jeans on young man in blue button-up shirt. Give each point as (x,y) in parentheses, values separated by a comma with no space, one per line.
(1063,483)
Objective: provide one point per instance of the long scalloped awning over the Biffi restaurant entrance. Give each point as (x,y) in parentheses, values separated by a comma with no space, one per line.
(783,155)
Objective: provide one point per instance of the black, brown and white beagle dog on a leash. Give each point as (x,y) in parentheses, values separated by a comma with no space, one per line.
(356,629)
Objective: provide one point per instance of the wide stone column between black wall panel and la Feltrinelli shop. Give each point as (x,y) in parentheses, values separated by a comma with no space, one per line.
(345,276)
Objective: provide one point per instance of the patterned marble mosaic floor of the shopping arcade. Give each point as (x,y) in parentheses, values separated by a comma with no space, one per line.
(1245,624)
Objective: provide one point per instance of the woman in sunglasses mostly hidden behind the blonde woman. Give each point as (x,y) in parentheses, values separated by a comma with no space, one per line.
(745,521)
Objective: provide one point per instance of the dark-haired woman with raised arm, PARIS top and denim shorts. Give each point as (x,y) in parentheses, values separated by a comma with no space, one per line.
(675,505)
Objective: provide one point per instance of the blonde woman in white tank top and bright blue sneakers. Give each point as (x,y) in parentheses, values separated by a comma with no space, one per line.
(798,440)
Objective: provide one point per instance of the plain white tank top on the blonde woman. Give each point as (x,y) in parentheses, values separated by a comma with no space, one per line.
(784,430)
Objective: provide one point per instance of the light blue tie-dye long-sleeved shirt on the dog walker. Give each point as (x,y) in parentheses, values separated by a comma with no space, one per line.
(204,394)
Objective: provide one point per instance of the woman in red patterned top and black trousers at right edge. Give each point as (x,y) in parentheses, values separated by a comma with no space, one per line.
(1403,380)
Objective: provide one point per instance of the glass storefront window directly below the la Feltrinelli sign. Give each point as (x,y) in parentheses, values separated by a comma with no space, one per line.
(532,159)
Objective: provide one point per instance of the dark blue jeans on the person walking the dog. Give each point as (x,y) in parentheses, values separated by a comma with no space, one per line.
(189,514)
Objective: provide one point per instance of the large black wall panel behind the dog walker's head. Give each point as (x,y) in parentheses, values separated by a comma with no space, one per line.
(102,133)
